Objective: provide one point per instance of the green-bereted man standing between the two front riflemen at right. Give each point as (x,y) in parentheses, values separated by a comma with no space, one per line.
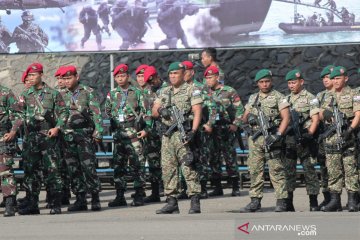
(300,142)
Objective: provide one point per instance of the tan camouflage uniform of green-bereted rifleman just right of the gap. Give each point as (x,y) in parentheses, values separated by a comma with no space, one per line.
(271,103)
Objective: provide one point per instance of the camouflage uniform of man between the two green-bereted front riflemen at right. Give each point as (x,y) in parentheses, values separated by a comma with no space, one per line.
(306,105)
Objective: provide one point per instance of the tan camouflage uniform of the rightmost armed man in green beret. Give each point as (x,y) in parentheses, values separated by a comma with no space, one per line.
(342,165)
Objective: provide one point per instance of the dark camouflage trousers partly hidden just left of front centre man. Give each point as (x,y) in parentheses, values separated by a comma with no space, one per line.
(152,153)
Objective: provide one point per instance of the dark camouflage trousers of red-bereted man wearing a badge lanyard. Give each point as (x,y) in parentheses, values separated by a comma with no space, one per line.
(128,158)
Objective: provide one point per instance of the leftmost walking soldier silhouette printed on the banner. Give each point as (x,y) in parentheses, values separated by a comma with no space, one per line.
(89,18)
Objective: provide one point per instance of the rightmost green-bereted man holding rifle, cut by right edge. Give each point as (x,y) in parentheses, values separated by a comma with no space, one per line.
(342,110)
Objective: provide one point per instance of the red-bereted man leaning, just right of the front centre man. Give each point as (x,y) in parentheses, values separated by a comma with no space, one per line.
(227,122)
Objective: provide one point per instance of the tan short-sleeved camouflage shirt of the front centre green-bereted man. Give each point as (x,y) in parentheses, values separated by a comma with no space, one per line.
(183,99)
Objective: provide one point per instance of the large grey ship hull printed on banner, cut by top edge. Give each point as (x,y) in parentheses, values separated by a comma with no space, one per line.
(240,16)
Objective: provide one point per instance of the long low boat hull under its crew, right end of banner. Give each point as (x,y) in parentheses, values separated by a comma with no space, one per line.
(294,28)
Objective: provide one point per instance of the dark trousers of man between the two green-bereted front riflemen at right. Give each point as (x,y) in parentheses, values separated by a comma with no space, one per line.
(301,151)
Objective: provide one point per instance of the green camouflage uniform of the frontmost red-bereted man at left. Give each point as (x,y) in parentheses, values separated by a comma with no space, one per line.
(43,109)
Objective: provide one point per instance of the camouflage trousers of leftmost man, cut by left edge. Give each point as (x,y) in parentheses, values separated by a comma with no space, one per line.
(7,180)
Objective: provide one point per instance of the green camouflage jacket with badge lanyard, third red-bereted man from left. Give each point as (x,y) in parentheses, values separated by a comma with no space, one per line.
(120,106)
